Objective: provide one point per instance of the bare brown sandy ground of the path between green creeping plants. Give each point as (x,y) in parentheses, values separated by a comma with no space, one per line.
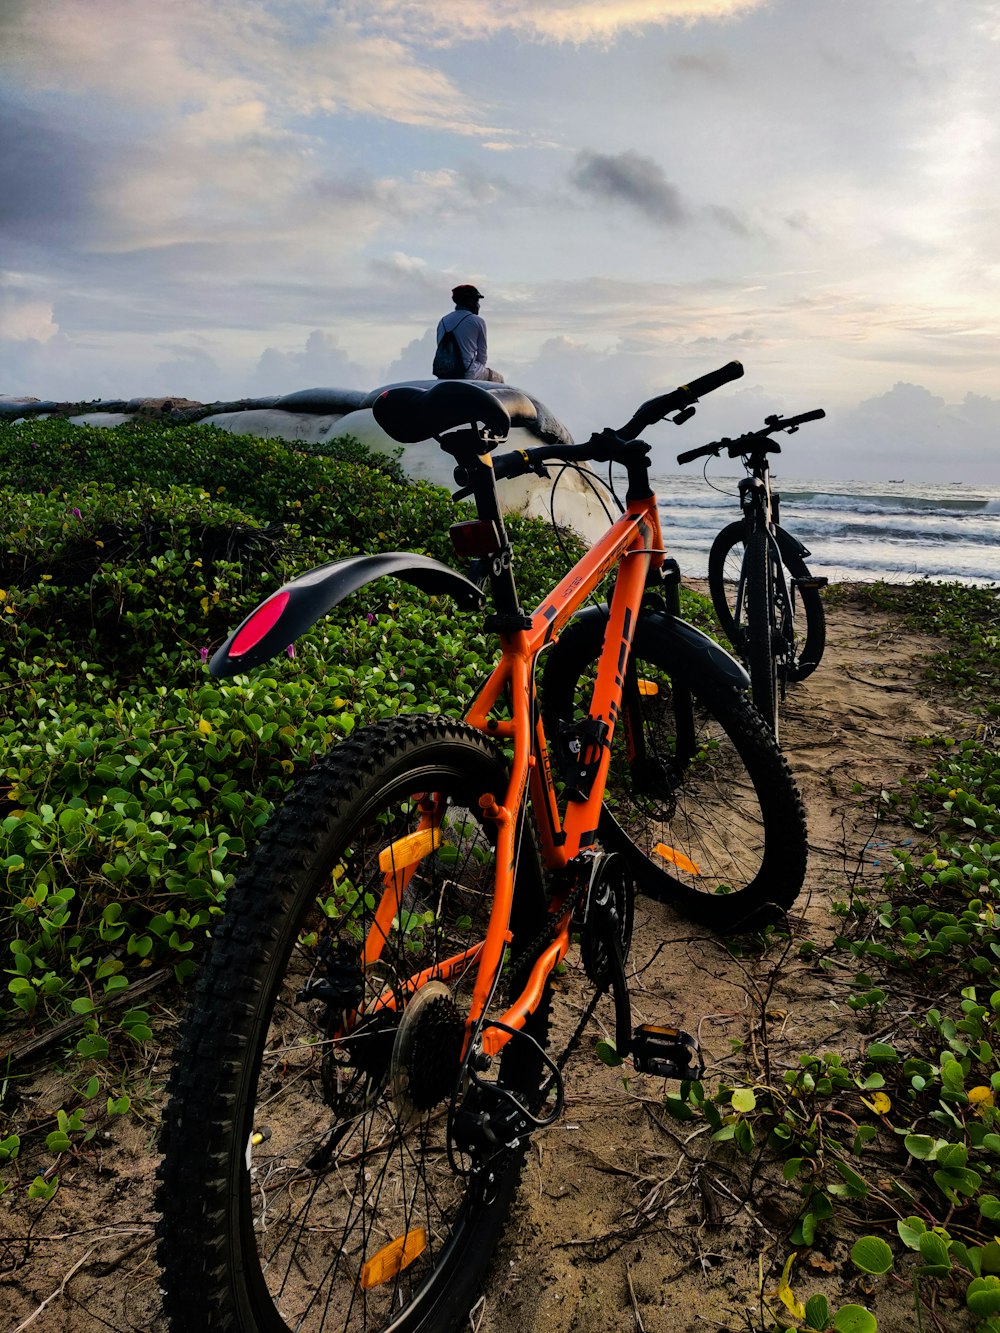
(619,1223)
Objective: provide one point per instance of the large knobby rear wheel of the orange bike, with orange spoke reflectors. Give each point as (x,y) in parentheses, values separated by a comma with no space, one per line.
(313,1176)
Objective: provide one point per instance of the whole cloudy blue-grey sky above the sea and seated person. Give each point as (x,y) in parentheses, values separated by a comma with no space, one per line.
(226,198)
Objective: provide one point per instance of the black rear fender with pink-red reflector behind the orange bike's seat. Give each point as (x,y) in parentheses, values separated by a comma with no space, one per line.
(299,605)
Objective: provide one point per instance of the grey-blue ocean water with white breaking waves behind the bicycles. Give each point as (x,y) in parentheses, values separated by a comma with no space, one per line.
(858,531)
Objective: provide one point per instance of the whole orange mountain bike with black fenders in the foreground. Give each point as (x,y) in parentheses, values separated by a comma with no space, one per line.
(367,1052)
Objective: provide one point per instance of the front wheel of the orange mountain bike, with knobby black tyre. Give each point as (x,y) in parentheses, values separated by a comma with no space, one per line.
(699,798)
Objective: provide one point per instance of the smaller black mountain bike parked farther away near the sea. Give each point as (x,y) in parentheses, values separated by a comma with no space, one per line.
(767,601)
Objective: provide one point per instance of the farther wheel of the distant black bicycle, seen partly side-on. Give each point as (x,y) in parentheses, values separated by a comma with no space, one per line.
(809,621)
